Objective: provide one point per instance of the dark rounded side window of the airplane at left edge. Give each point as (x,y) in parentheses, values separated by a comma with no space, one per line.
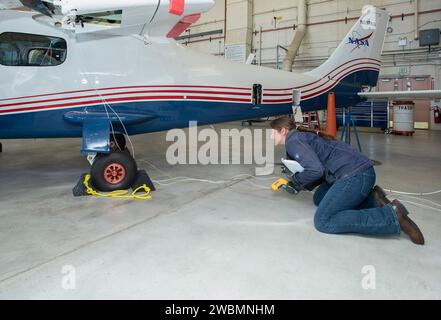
(31,50)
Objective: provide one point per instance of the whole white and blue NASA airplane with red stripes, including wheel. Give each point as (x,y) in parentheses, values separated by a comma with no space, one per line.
(103,69)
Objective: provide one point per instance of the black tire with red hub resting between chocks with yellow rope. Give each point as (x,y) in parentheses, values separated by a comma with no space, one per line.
(115,171)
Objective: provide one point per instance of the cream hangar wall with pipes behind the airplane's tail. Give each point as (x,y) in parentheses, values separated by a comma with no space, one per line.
(263,25)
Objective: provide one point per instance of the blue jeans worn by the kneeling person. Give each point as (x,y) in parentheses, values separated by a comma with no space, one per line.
(349,206)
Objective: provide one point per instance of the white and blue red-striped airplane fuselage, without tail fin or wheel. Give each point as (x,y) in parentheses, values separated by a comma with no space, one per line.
(154,84)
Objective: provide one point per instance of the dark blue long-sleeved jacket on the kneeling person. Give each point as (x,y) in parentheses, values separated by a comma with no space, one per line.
(323,159)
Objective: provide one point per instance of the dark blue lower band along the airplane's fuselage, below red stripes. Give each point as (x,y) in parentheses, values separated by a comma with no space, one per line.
(176,114)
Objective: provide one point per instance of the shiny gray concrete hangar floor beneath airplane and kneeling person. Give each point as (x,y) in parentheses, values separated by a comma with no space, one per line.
(195,240)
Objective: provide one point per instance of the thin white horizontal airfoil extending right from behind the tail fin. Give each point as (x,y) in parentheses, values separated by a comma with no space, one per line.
(403,95)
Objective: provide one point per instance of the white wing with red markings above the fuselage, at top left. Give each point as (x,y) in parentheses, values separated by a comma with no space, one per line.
(155,18)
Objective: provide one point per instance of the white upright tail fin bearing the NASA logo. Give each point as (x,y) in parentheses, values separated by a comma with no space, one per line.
(360,50)
